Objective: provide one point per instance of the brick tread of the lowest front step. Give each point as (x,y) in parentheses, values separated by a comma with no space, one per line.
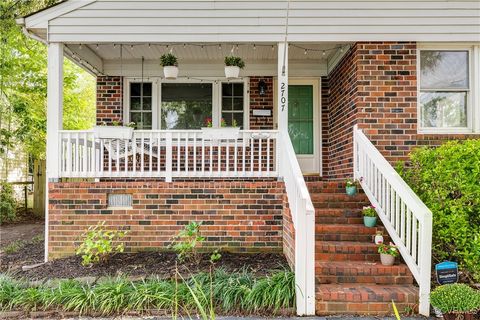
(359,292)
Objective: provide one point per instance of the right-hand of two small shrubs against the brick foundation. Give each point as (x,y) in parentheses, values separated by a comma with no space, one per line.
(187,242)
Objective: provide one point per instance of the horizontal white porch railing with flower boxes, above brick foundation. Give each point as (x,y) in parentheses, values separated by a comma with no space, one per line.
(168,154)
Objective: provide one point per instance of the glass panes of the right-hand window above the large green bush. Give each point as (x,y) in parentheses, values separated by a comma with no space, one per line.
(444,89)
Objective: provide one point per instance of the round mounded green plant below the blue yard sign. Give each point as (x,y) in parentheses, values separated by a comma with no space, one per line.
(456,301)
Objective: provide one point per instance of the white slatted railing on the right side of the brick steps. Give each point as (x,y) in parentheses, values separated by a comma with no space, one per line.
(406,218)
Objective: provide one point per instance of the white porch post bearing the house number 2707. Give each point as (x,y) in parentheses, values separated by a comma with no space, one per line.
(282,83)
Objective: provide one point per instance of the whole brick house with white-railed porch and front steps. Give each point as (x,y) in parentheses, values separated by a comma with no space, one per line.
(331,90)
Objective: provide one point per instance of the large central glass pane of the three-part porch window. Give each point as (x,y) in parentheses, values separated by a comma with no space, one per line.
(186,105)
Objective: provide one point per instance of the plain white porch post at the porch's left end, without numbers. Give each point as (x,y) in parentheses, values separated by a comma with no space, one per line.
(54,121)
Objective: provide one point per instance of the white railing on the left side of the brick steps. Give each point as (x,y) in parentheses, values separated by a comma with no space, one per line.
(303,216)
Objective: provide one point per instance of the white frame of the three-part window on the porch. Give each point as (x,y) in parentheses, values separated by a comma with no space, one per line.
(216,97)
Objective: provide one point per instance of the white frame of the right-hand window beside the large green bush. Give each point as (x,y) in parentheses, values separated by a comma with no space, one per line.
(473,92)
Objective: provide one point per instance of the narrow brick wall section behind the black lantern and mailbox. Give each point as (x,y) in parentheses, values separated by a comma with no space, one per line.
(261,102)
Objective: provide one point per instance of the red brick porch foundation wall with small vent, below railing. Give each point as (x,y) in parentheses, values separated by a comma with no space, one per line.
(241,216)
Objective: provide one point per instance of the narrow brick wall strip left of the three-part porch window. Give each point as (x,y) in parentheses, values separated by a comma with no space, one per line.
(109,99)
